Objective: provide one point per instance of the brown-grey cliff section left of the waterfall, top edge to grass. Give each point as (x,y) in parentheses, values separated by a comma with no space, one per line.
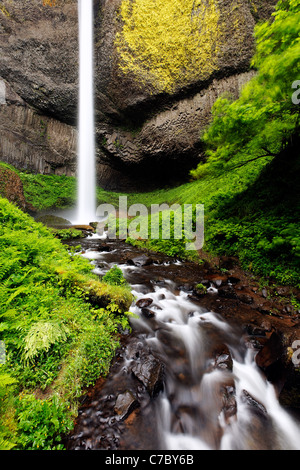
(39,86)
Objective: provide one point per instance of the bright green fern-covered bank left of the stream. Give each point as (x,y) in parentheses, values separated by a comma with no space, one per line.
(54,338)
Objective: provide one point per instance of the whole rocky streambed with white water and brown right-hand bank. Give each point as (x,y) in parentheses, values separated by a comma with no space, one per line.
(236,317)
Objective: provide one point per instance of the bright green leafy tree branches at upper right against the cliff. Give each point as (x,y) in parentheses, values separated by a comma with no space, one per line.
(263,120)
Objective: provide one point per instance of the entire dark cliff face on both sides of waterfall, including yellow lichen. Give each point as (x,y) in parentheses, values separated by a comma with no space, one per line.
(157,75)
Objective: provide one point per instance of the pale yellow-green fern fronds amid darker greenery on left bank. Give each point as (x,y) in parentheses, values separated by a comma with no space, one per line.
(41,336)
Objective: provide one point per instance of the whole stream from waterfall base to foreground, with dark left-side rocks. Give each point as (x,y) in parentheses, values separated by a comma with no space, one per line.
(185,378)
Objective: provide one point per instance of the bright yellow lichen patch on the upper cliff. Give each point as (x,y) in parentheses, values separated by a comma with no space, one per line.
(168,43)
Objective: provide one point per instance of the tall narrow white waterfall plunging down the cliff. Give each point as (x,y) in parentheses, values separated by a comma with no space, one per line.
(86,209)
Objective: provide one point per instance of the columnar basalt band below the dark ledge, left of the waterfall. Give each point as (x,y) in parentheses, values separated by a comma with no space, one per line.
(35,142)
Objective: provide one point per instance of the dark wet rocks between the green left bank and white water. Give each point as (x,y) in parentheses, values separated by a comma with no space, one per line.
(135,379)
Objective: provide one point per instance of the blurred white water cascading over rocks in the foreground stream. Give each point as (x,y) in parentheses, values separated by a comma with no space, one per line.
(192,417)
